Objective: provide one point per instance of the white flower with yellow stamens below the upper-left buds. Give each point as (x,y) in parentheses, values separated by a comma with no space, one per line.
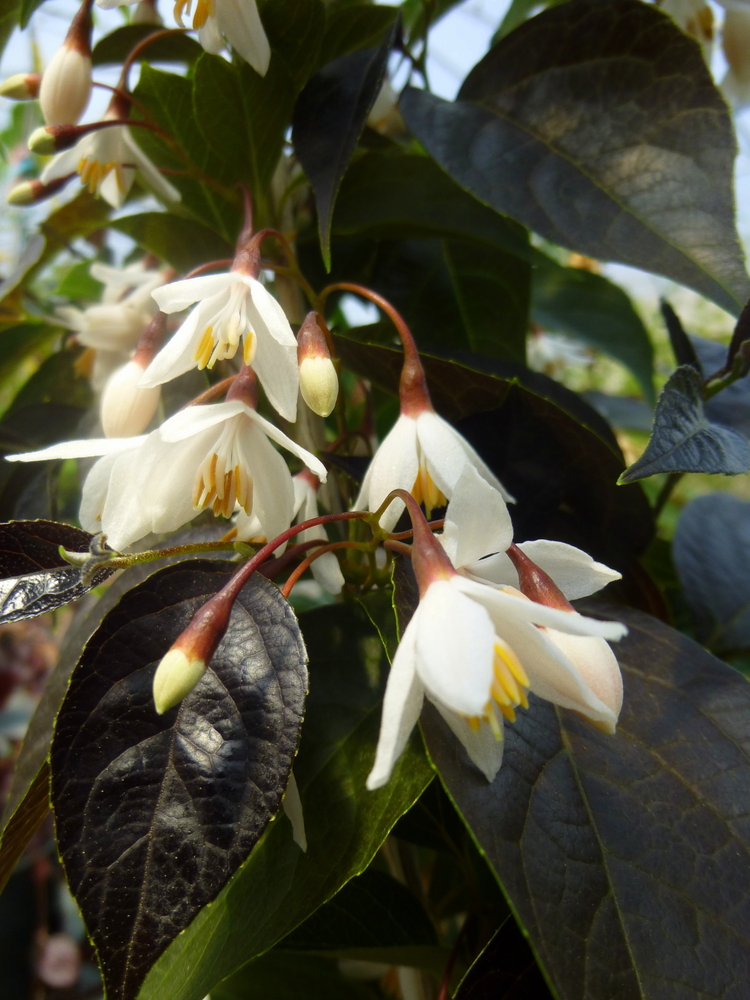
(108,160)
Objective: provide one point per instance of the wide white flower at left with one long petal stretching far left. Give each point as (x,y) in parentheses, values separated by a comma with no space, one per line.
(202,457)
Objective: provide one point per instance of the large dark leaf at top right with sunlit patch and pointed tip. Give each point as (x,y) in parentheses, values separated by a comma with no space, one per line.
(599,126)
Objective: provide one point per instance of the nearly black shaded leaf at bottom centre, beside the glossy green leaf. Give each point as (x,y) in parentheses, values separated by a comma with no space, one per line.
(373,911)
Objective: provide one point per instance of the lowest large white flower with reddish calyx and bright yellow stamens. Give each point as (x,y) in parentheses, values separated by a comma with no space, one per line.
(475,650)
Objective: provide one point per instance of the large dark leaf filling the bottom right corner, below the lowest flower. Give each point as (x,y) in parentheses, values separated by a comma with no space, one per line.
(626,858)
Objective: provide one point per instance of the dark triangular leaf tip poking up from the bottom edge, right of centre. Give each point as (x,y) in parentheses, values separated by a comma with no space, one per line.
(505,970)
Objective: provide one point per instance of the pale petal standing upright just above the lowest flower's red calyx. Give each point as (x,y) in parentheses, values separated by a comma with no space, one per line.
(477,520)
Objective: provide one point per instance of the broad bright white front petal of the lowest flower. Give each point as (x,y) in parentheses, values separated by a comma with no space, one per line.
(455,648)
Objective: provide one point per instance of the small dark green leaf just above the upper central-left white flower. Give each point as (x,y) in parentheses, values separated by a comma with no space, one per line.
(181,242)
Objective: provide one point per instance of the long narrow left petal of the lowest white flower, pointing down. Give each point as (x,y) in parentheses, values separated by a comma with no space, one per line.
(402,704)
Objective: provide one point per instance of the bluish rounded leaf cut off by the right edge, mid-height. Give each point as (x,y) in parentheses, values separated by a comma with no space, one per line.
(711,553)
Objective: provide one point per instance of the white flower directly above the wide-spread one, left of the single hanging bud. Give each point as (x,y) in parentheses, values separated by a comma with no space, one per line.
(232,307)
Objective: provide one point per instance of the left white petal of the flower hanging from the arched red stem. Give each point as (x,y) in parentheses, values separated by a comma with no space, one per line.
(394,466)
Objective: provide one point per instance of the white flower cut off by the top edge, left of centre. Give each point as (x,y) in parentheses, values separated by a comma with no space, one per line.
(236,20)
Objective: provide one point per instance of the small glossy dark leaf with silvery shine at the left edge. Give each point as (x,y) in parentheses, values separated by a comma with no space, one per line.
(34,577)
